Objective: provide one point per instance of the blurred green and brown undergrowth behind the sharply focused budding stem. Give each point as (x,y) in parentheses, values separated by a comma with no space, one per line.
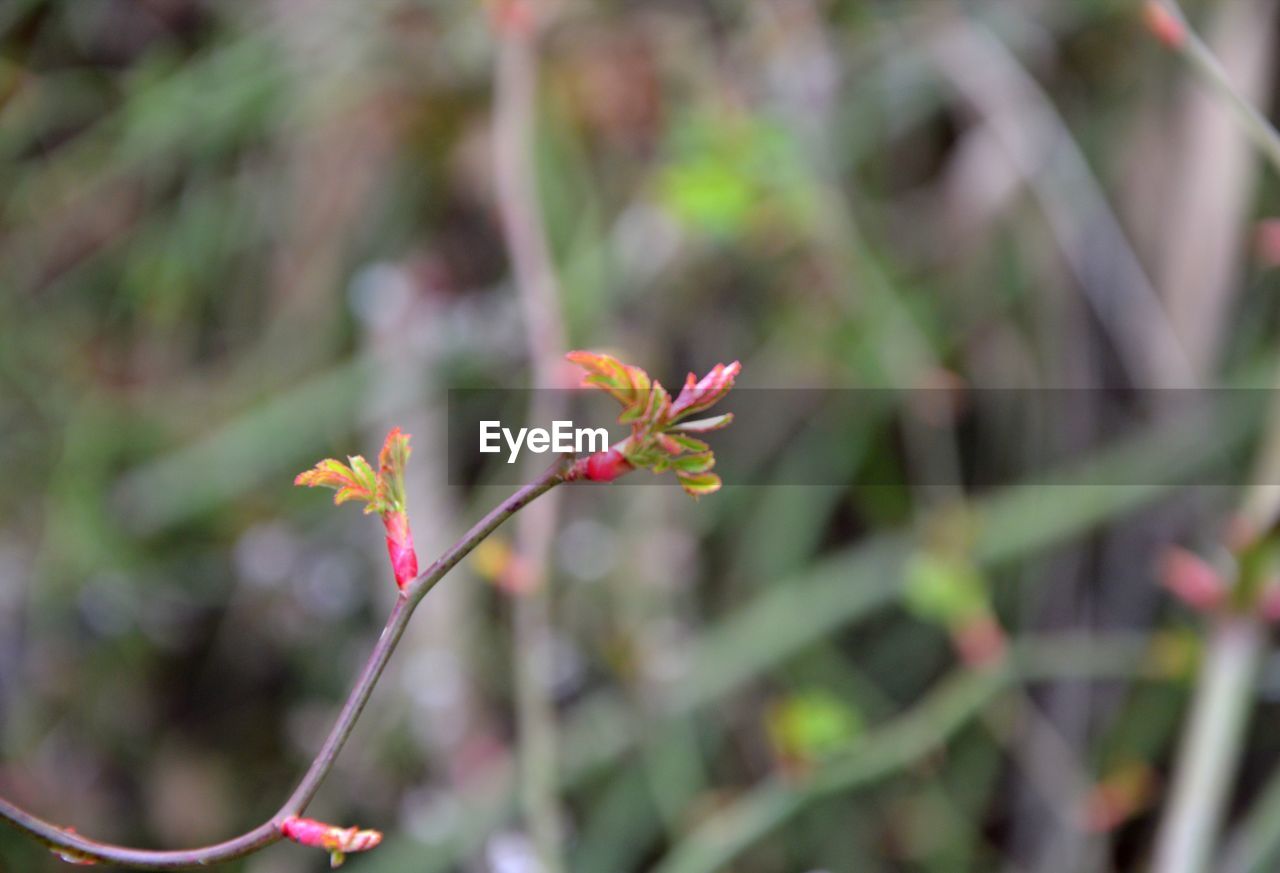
(239,237)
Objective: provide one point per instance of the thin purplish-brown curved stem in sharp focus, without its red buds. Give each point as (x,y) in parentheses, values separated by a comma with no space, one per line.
(76,848)
